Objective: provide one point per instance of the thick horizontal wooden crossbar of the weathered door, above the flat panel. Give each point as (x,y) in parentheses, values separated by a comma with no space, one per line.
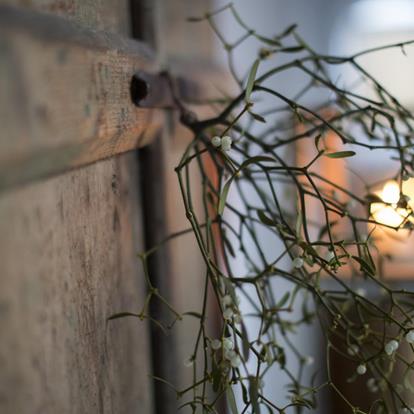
(65,98)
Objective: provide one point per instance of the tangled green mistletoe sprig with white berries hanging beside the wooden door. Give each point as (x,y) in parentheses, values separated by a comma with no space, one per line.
(250,186)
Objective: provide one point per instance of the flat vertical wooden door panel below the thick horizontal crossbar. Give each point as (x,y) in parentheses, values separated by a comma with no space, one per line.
(68,260)
